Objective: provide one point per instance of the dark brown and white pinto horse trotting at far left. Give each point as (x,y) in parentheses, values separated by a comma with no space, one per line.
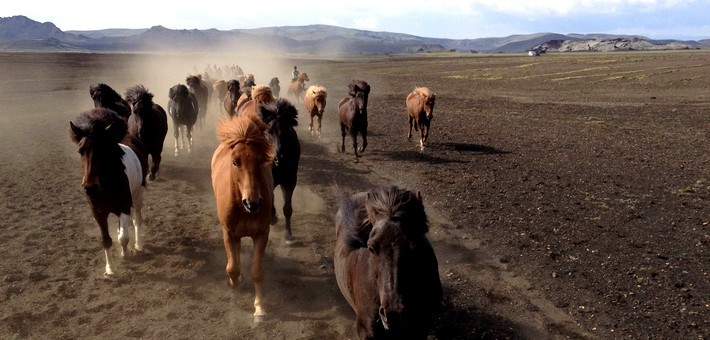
(114,169)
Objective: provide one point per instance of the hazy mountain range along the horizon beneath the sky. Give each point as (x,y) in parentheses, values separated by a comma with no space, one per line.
(19,33)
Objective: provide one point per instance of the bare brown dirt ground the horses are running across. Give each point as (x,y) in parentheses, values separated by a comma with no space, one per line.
(568,197)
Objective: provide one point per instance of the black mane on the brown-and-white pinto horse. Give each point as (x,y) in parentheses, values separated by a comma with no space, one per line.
(100,123)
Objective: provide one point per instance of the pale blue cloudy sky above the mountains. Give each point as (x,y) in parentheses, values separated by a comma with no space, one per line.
(456,19)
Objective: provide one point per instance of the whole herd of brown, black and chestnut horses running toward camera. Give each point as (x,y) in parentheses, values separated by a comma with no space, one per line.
(384,264)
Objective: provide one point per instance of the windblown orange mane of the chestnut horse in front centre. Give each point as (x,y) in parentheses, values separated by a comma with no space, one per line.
(247,129)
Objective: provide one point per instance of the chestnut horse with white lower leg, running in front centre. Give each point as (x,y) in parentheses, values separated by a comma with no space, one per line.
(243,188)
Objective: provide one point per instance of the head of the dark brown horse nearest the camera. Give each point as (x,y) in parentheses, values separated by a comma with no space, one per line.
(399,224)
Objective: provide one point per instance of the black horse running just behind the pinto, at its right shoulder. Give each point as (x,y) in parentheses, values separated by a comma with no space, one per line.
(149,123)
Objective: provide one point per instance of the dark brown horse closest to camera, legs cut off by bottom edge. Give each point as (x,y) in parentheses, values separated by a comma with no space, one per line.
(384,264)
